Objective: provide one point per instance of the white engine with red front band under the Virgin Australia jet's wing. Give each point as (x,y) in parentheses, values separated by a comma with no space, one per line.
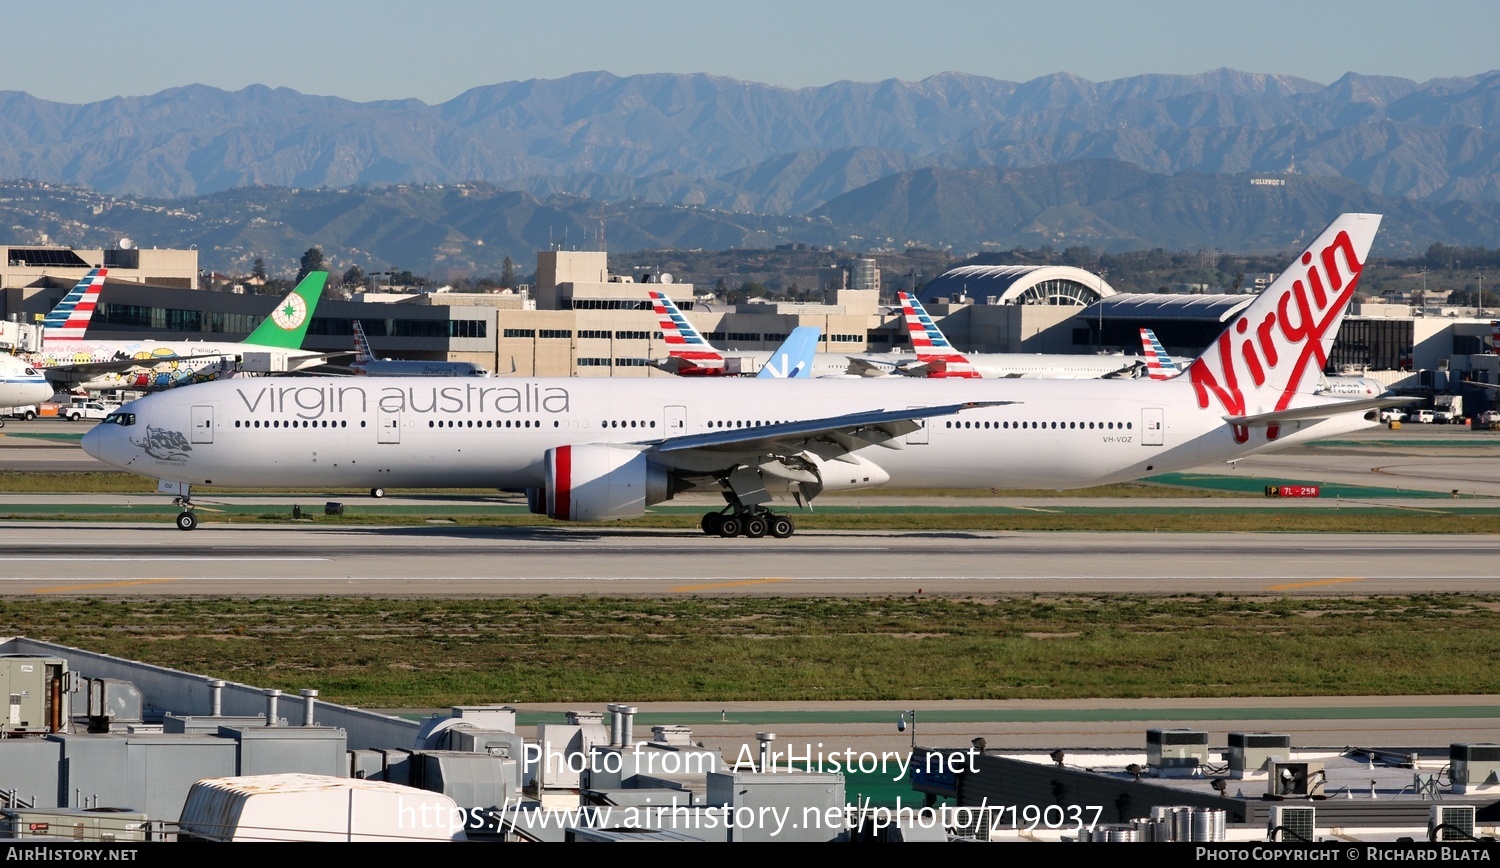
(596,482)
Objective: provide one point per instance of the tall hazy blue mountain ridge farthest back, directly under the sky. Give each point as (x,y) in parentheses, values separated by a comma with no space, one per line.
(712,142)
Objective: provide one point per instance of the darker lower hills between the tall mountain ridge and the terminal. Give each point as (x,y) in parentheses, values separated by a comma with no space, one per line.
(472,229)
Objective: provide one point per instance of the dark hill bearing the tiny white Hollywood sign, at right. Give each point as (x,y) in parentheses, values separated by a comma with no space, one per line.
(1114,206)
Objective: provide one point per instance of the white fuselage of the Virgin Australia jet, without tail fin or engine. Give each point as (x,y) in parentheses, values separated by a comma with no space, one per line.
(385,433)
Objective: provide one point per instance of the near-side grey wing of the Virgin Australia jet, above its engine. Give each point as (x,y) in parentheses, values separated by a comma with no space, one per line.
(851,433)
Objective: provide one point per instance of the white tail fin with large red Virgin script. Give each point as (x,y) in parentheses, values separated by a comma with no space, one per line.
(1279,346)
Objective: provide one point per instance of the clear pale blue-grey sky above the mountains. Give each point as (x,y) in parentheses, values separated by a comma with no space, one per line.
(434,50)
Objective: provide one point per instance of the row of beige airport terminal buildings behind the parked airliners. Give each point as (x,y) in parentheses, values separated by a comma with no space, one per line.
(581,320)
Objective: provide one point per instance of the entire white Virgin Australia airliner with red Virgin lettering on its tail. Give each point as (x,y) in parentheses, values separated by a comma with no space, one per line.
(592,449)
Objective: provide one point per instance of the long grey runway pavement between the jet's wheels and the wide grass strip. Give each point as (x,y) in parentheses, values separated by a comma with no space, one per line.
(445,561)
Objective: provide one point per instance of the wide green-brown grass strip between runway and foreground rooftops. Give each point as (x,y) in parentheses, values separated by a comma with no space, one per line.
(382,653)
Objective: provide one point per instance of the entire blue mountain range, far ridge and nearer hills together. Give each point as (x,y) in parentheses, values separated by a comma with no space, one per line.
(695,161)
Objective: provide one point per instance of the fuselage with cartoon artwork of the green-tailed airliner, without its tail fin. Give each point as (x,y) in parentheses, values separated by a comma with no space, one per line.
(191,362)
